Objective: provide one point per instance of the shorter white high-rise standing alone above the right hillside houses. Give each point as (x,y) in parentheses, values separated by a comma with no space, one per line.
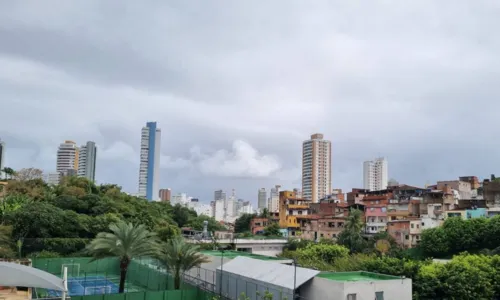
(375,174)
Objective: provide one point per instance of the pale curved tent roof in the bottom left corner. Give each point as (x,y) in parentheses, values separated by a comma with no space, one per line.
(12,274)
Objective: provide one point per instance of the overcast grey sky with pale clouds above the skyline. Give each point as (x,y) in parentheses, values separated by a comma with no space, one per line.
(236,86)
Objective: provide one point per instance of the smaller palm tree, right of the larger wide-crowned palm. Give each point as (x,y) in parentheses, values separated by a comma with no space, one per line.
(179,257)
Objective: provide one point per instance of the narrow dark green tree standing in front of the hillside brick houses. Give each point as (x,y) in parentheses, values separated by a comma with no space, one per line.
(351,236)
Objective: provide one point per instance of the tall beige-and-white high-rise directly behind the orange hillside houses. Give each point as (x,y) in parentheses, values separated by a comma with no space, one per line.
(316,168)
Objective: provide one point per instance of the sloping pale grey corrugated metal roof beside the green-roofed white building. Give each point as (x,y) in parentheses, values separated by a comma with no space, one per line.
(268,272)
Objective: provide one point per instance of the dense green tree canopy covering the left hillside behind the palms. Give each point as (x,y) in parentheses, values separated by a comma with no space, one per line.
(63,218)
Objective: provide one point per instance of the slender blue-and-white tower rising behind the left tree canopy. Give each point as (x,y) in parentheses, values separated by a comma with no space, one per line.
(149,169)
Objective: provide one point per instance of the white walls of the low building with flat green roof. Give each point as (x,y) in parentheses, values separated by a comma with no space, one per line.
(321,288)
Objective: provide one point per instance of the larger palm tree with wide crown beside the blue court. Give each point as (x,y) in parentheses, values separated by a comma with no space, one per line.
(126,241)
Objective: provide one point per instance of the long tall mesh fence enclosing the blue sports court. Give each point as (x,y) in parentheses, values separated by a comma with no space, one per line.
(146,277)
